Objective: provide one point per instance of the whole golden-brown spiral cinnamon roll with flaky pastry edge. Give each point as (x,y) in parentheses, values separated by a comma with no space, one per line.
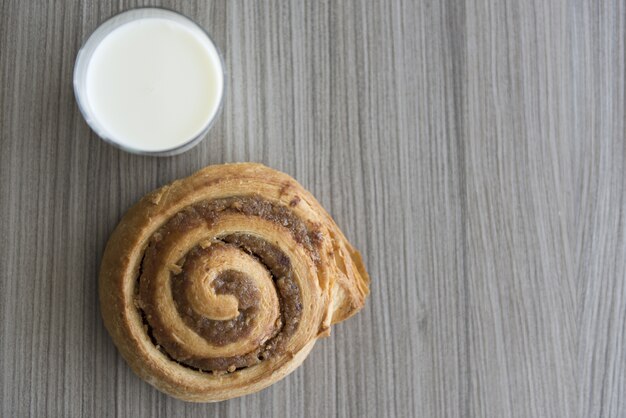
(218,285)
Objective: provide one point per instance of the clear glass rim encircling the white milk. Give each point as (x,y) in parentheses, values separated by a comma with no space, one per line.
(81,64)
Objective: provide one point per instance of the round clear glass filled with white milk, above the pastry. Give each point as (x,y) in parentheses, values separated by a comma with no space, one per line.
(149,81)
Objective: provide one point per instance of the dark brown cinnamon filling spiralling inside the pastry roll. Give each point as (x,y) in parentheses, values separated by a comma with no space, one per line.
(228,282)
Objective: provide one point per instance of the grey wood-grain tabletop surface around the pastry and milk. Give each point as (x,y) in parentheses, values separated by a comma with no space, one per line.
(473,150)
